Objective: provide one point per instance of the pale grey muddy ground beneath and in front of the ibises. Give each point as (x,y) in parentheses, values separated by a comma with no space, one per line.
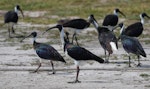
(18,60)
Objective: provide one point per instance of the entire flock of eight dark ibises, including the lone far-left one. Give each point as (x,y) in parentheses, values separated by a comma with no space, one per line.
(106,37)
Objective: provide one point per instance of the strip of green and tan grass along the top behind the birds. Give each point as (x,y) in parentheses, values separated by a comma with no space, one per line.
(80,8)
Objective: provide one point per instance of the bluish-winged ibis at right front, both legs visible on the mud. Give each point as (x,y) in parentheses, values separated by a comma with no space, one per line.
(131,45)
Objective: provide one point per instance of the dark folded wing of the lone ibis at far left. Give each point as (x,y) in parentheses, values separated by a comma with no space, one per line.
(11,16)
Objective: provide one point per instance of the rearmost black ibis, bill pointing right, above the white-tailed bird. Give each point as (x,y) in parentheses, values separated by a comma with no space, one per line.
(111,20)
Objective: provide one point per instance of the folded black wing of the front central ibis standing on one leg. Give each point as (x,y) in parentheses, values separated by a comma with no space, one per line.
(79,53)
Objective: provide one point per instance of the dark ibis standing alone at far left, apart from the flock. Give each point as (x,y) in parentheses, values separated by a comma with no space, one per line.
(12,17)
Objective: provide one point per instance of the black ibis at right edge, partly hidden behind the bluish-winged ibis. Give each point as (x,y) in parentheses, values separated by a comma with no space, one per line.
(136,29)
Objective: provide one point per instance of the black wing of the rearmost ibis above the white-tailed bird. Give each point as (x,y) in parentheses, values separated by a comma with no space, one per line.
(111,20)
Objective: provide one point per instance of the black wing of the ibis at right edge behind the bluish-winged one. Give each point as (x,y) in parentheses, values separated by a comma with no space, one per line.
(134,30)
